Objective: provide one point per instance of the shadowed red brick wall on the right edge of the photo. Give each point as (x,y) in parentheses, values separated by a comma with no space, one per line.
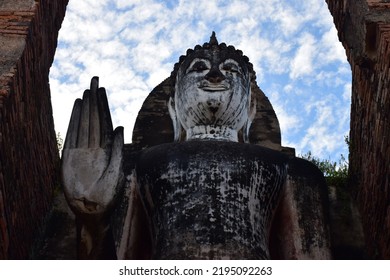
(364,30)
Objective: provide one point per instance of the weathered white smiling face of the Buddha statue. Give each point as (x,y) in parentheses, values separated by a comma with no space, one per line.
(213,89)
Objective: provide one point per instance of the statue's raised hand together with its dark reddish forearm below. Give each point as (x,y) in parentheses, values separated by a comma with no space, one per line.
(92,172)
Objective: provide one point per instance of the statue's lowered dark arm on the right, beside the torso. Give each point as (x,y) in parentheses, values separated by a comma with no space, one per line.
(301,224)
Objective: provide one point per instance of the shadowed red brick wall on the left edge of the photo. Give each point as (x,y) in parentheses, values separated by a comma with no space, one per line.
(28,151)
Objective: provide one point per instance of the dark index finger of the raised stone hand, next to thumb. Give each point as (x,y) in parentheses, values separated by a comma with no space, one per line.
(105,119)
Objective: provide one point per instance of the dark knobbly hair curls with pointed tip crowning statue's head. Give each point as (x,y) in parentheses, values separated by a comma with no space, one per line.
(213,45)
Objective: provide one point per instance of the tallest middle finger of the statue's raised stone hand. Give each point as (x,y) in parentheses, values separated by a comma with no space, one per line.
(94,122)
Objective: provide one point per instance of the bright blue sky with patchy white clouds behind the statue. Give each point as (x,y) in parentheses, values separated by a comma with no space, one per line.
(132,46)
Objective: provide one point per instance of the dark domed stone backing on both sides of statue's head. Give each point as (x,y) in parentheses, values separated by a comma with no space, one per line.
(154,125)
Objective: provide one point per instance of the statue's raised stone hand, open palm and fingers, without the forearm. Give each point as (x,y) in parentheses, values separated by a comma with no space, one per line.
(92,155)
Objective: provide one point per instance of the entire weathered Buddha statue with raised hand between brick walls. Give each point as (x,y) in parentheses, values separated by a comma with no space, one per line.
(208,190)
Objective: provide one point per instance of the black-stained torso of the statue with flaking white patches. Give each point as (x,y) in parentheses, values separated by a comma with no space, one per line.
(200,196)
